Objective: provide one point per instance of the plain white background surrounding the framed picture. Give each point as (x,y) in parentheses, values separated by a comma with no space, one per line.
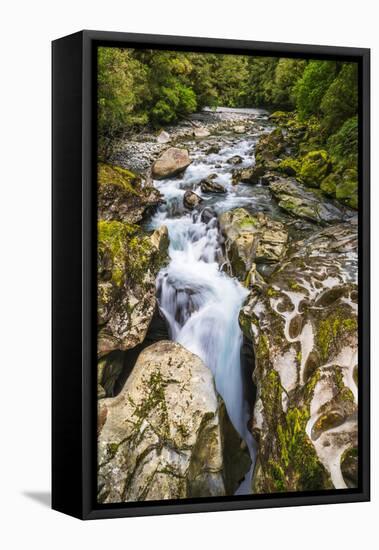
(26,31)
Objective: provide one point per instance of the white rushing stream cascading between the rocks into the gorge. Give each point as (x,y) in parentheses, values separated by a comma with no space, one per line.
(200,301)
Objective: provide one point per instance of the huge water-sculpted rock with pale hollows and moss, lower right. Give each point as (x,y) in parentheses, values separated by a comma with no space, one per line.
(303,325)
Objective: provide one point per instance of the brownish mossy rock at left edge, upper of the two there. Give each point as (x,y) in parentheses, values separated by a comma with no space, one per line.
(122,195)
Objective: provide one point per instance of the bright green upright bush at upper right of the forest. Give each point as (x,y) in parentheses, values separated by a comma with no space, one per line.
(311,87)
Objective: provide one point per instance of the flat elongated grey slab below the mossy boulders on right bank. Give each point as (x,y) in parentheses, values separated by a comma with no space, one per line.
(303,203)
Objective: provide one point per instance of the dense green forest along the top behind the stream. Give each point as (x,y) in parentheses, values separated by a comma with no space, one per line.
(151,87)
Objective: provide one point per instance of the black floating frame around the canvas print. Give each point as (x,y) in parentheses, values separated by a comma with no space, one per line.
(74,274)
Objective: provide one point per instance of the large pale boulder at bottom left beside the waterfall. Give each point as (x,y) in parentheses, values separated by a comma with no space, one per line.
(167,434)
